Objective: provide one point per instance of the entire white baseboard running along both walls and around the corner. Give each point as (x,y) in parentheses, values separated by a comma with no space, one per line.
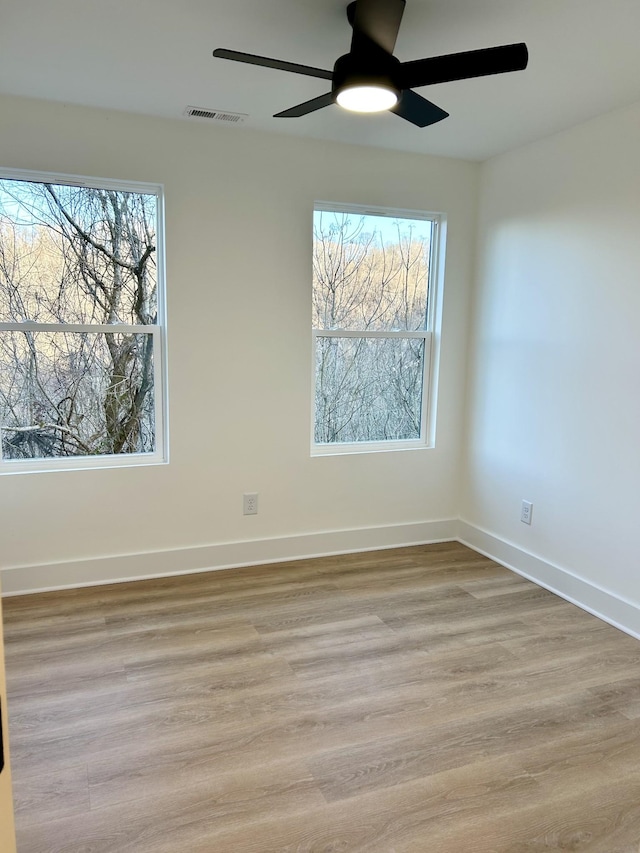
(601,602)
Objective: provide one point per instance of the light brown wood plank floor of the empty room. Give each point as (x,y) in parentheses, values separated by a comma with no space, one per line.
(420,700)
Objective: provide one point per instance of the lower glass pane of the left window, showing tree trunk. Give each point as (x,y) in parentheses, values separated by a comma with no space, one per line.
(75,394)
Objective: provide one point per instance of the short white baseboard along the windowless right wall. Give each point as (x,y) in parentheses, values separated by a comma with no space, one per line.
(595,599)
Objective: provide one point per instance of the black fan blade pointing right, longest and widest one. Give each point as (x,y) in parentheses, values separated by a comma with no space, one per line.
(461,66)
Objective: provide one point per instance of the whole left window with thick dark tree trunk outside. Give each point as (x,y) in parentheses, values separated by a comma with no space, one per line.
(81,323)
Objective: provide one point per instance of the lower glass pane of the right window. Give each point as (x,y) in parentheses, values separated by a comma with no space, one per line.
(368,389)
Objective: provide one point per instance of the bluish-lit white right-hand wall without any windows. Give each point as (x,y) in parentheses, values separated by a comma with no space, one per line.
(554,405)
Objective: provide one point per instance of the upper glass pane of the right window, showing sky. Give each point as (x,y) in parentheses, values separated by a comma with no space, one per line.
(370,272)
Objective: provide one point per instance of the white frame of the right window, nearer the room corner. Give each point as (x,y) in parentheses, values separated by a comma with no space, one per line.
(430,334)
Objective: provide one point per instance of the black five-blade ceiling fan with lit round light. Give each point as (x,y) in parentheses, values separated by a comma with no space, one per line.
(370,79)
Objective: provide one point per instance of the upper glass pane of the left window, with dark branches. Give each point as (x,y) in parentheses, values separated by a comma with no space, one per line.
(76,254)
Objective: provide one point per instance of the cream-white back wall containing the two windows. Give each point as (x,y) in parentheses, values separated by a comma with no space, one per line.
(238,227)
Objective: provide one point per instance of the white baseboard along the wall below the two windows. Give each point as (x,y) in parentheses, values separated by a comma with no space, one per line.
(126,567)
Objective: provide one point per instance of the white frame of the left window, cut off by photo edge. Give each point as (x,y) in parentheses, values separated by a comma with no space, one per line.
(158,331)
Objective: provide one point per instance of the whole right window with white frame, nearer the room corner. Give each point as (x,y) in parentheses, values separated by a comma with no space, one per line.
(373,320)
